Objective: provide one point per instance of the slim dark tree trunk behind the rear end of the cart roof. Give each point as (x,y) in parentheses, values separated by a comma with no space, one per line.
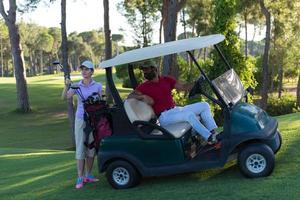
(108,49)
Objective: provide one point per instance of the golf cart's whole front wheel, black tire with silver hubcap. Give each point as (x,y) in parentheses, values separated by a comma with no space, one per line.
(256,160)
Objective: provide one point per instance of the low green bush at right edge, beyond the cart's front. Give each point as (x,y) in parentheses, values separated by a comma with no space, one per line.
(281,106)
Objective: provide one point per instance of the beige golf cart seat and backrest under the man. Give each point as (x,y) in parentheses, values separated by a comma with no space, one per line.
(140,111)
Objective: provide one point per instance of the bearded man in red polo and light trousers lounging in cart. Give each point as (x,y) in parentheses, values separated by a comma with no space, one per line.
(157,92)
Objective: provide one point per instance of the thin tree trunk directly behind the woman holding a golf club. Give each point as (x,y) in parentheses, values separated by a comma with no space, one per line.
(64,49)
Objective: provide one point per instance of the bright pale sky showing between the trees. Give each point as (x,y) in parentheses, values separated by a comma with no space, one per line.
(86,15)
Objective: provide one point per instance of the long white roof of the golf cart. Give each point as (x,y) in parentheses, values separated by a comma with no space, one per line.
(162,50)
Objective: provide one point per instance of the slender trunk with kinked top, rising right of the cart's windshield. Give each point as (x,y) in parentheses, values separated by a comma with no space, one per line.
(265,72)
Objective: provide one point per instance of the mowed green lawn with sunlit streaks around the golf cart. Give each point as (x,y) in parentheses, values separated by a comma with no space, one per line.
(36,163)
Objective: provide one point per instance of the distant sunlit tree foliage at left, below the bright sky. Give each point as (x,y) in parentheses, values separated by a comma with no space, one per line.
(41,46)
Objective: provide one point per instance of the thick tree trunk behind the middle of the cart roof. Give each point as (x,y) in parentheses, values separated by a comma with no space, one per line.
(169,15)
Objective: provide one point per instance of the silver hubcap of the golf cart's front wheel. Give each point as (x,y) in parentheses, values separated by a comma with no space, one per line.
(256,163)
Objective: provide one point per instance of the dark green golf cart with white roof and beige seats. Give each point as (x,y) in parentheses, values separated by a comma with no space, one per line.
(140,147)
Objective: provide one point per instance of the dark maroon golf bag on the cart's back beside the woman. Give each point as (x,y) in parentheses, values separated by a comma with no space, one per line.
(97,121)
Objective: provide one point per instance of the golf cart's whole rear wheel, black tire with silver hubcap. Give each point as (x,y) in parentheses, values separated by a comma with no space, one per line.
(121,175)
